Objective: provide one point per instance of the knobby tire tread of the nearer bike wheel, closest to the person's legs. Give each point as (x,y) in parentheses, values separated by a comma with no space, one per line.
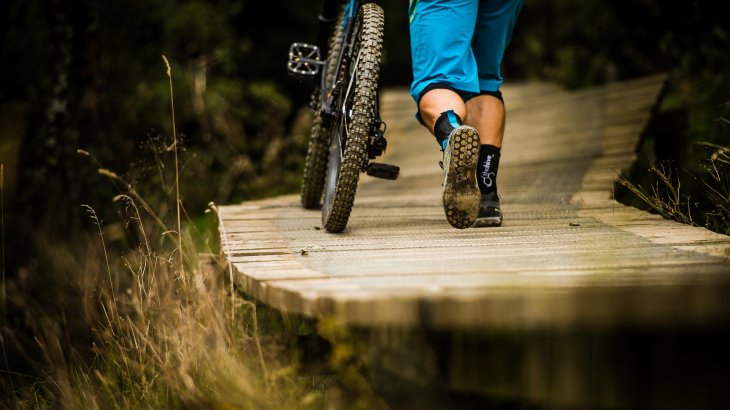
(369,37)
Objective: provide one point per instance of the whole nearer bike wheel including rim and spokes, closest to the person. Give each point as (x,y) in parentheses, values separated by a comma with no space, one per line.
(349,134)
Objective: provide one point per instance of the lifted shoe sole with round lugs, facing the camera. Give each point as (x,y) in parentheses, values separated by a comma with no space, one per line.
(461,195)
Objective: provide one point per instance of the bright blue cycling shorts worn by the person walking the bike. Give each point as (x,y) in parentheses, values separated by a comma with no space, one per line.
(459,44)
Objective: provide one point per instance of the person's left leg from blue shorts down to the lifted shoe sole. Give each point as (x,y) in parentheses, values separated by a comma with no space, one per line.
(444,71)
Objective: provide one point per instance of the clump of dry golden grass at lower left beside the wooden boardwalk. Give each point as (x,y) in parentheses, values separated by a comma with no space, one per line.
(163,335)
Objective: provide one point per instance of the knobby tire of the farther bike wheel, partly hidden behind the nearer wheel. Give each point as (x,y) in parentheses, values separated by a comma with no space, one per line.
(315,163)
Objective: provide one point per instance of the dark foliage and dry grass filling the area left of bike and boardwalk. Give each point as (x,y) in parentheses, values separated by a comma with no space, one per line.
(96,311)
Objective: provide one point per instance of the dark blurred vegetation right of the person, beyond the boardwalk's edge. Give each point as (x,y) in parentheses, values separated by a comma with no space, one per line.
(583,43)
